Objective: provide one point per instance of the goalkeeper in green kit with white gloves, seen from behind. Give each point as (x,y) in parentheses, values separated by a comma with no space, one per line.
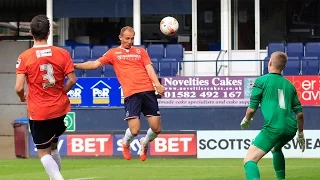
(279,100)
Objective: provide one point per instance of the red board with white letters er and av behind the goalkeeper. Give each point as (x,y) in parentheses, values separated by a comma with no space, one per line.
(308,89)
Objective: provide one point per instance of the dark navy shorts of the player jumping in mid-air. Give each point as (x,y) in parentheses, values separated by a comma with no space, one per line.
(145,102)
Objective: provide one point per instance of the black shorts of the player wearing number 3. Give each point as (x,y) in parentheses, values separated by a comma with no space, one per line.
(45,132)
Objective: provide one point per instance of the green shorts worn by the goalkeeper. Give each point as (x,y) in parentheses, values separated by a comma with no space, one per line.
(267,139)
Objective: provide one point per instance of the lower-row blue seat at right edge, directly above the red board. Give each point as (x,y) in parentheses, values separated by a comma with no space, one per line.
(310,66)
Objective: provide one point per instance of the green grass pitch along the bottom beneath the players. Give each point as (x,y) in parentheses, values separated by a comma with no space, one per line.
(167,169)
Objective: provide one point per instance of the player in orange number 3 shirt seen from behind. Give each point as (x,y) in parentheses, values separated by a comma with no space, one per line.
(44,68)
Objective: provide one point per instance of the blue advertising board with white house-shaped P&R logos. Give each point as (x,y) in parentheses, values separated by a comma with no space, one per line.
(96,92)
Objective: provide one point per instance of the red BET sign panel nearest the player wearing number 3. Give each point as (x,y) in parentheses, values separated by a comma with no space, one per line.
(90,145)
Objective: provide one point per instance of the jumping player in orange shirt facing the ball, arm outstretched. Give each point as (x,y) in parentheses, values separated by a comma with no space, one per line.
(136,75)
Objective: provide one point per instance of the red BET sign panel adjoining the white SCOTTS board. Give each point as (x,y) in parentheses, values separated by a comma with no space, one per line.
(174,145)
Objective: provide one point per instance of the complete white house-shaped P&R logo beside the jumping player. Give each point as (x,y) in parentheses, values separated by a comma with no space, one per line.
(100,93)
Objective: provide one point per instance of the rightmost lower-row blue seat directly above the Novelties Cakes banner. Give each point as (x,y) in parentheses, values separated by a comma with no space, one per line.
(168,67)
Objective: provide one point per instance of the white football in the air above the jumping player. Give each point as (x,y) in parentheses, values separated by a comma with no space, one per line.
(169,26)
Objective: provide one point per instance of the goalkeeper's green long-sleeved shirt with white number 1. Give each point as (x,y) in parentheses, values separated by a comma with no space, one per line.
(278,100)
